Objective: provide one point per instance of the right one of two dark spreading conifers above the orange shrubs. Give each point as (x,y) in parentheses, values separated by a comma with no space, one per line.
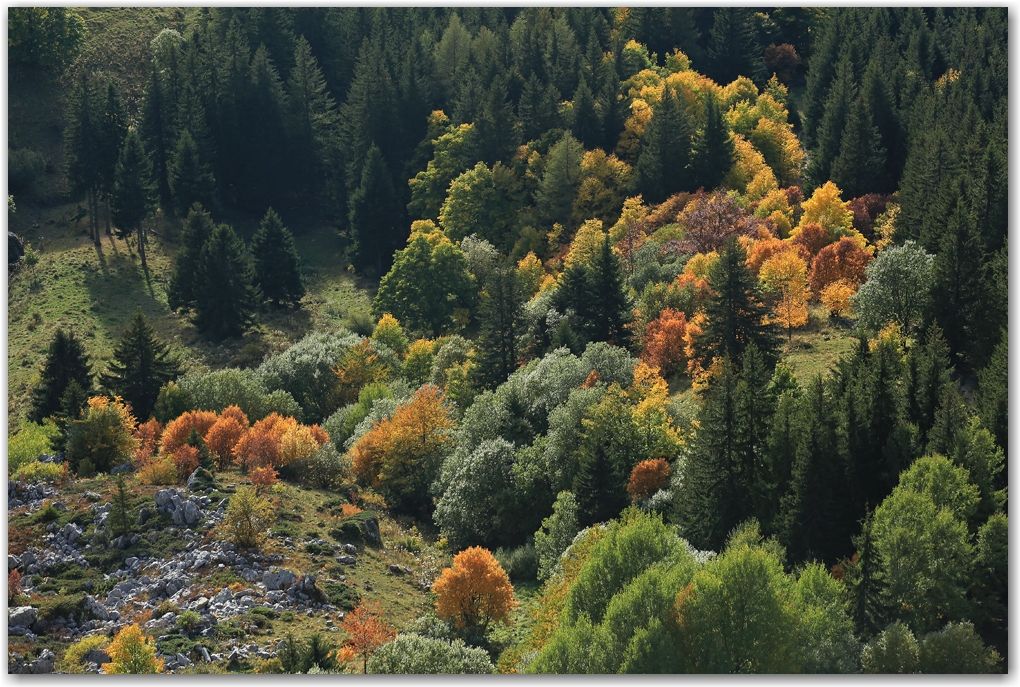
(142,365)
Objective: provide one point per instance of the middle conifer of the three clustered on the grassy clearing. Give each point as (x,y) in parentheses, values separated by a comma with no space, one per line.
(226,299)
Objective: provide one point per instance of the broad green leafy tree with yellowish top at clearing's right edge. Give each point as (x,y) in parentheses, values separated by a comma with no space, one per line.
(428,283)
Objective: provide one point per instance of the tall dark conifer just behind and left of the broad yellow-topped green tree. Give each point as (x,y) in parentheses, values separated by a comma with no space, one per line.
(375,217)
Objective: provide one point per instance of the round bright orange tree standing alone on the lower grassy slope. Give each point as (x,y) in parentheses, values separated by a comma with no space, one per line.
(476,592)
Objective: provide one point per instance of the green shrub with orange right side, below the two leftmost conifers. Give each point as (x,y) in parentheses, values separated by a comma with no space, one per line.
(105,437)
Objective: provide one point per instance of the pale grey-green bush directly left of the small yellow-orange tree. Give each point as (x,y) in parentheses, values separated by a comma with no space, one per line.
(307,371)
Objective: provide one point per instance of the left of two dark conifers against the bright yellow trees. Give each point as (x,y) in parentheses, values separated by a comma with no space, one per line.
(665,165)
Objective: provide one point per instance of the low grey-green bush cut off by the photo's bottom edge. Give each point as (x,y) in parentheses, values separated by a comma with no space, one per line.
(415,655)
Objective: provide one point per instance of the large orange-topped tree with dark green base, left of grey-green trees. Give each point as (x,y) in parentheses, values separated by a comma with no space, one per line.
(401,455)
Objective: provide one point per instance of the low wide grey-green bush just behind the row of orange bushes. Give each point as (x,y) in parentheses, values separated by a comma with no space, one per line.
(216,391)
